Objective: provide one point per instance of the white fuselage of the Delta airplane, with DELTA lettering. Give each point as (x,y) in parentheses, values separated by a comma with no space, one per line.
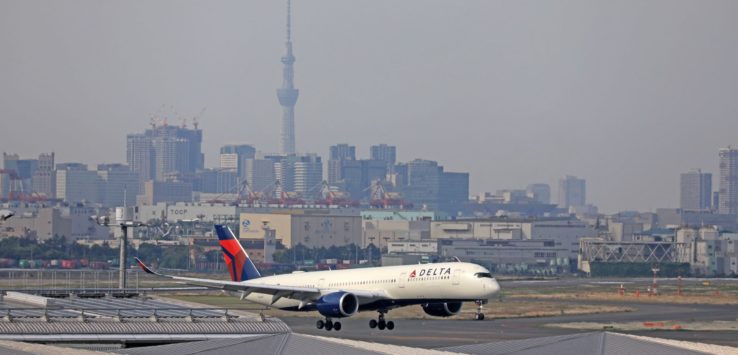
(404,285)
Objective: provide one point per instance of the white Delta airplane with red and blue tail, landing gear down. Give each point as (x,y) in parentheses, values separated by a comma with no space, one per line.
(440,288)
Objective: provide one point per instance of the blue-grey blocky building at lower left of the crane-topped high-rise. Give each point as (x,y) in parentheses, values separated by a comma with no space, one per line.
(118,185)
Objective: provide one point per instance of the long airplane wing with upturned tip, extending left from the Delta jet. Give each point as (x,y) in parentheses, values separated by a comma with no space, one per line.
(277,291)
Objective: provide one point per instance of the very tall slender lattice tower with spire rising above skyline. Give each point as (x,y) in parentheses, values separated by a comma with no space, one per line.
(287,94)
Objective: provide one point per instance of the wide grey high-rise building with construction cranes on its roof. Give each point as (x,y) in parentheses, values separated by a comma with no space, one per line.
(164,151)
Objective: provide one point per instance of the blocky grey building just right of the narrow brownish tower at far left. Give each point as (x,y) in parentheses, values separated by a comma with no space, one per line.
(75,183)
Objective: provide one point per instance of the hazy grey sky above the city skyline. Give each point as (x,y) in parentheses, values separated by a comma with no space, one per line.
(626,94)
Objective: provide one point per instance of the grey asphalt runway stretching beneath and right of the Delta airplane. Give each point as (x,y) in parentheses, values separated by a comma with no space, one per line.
(442,332)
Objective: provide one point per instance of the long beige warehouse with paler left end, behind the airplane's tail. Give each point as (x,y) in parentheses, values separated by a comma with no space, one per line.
(309,227)
